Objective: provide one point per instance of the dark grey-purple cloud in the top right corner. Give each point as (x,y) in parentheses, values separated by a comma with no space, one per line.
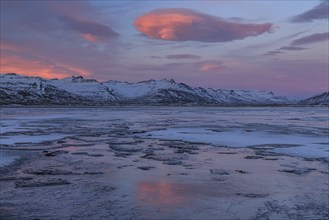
(318,12)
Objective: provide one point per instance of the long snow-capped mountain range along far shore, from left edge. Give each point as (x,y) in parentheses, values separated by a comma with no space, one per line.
(19,89)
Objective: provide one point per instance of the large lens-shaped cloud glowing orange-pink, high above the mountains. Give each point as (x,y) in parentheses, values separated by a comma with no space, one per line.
(189,25)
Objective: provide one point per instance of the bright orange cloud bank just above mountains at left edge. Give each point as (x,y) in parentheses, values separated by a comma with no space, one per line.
(15,64)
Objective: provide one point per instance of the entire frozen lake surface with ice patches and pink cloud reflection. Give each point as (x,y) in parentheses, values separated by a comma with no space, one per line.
(164,163)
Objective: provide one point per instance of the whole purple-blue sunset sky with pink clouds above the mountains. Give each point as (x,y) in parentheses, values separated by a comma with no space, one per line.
(279,45)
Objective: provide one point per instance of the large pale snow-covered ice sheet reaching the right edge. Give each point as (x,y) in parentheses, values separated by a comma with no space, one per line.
(309,145)
